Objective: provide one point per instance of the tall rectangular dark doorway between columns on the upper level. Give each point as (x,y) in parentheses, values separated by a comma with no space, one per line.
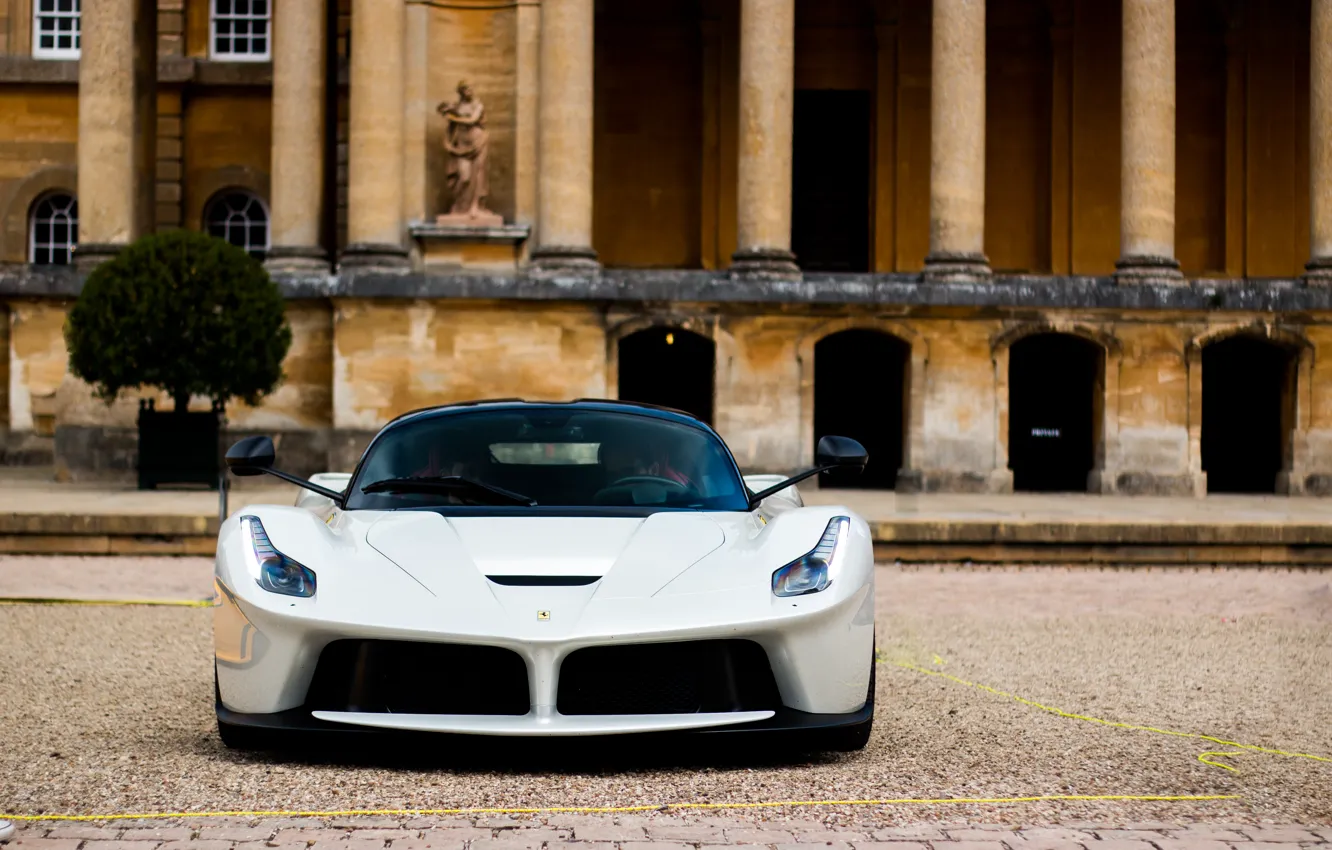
(831,181)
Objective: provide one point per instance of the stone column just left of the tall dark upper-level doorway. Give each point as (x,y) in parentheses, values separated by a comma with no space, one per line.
(768,101)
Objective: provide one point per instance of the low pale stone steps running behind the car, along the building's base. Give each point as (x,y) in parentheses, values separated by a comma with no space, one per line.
(39,516)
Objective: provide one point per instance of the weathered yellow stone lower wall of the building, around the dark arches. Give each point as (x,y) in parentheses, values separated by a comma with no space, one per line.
(371,346)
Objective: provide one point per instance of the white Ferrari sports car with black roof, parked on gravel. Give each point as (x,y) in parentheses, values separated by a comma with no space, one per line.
(512,568)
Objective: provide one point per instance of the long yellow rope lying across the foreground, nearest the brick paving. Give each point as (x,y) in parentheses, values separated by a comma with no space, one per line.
(347,813)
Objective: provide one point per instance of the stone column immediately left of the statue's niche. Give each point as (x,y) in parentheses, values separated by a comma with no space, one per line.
(375,141)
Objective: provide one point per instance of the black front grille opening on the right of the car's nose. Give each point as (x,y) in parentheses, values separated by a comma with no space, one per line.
(668,679)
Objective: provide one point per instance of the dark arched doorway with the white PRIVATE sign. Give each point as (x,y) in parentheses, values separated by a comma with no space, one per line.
(1056,398)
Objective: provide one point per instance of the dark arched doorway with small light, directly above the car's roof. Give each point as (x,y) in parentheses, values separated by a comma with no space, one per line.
(669,367)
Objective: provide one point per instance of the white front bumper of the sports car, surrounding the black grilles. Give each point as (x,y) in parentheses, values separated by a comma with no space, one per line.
(820,660)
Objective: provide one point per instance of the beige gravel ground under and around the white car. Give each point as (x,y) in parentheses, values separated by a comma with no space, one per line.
(110,711)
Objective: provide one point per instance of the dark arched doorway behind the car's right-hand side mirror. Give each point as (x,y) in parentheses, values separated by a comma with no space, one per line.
(860,392)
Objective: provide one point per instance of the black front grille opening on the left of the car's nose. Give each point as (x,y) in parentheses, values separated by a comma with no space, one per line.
(408,677)
